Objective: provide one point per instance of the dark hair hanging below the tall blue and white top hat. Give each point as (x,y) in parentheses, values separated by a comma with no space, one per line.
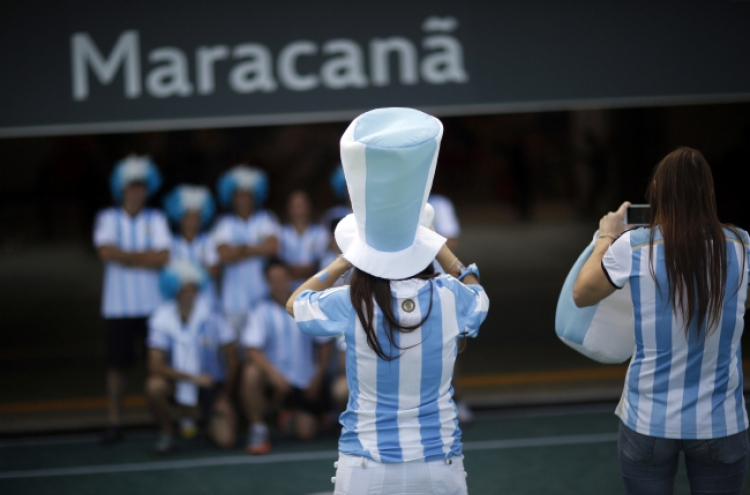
(367,290)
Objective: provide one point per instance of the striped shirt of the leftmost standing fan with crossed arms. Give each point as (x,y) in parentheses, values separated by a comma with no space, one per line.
(131,292)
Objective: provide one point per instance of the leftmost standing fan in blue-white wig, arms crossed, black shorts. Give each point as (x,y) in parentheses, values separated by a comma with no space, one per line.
(133,241)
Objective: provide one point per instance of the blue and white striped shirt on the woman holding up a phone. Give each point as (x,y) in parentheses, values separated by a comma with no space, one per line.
(680,387)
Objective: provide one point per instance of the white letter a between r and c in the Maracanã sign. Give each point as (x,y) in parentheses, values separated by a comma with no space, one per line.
(255,74)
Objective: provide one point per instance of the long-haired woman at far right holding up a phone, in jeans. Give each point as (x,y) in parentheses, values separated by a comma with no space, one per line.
(688,277)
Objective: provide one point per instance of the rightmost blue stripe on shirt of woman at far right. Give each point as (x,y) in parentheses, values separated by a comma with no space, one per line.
(728,322)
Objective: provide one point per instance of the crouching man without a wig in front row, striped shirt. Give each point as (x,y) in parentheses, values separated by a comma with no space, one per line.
(282,360)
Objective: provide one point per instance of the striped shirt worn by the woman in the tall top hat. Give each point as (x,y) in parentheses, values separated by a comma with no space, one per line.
(400,410)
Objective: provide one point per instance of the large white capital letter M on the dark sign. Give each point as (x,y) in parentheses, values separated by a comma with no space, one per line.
(125,52)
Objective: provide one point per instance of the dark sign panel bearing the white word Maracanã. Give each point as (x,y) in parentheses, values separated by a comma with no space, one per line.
(92,66)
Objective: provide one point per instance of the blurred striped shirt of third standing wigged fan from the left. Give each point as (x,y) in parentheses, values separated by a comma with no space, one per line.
(243,282)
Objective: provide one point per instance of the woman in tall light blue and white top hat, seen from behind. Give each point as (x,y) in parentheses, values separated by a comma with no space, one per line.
(400,321)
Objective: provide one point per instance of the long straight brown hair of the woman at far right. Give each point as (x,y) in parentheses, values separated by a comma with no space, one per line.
(683,207)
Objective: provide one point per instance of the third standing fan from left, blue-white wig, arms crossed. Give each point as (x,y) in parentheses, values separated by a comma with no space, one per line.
(245,238)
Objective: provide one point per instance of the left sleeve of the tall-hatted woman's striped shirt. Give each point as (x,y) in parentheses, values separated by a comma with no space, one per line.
(325,314)
